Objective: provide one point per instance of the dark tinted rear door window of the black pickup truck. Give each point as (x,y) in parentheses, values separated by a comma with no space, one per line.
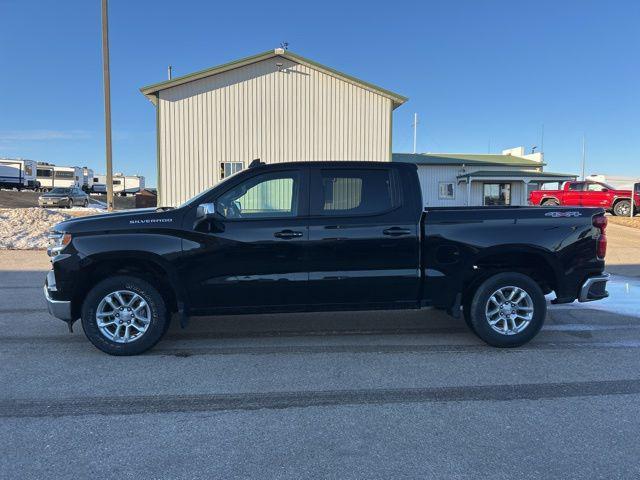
(357,192)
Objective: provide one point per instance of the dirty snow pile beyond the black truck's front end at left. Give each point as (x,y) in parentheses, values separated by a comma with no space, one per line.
(27,228)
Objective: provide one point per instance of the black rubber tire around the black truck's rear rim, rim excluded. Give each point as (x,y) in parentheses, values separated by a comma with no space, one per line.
(478,318)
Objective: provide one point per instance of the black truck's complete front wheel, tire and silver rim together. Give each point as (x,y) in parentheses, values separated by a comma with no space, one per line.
(124,315)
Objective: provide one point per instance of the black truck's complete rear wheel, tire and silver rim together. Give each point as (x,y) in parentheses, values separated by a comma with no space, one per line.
(507,310)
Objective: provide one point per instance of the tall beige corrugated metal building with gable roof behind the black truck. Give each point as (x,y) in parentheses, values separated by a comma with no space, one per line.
(276,106)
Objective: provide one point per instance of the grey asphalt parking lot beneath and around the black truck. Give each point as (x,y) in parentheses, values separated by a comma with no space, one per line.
(367,395)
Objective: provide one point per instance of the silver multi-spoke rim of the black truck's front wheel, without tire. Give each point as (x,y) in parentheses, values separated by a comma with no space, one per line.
(123,316)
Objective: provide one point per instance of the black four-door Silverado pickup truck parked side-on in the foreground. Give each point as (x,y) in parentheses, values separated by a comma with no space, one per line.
(321,236)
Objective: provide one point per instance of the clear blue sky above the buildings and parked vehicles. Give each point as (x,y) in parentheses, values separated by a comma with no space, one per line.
(480,74)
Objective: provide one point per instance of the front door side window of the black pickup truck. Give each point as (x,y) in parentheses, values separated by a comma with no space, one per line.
(270,195)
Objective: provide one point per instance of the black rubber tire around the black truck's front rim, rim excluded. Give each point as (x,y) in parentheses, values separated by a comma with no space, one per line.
(160,316)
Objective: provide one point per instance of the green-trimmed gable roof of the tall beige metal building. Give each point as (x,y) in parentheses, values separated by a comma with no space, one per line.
(150,91)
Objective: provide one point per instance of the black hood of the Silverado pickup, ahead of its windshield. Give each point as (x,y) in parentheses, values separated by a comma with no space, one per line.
(128,220)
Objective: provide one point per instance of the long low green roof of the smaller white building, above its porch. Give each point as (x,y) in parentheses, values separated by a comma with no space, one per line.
(477,159)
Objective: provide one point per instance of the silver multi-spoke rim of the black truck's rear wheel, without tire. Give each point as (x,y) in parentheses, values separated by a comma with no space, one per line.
(509,310)
